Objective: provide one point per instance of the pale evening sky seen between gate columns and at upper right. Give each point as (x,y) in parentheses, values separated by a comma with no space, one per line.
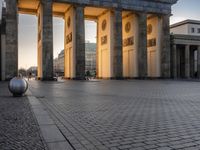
(184,9)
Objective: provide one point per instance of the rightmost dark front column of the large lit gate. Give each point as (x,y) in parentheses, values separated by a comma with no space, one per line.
(165,48)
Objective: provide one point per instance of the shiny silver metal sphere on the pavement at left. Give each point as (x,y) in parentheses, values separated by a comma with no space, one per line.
(18,86)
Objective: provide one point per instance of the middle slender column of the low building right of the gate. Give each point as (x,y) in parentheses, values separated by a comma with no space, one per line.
(187,61)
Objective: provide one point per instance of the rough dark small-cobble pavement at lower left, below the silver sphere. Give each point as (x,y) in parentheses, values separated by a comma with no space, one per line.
(18,127)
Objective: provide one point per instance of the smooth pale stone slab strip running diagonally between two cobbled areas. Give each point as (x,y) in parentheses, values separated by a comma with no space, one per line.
(50,132)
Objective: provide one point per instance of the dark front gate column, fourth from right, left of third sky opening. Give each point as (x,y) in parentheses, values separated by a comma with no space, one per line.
(80,43)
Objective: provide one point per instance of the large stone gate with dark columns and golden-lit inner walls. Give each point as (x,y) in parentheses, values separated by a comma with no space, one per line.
(133,36)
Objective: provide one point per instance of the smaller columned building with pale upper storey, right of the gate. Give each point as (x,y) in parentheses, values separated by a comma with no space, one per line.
(185,51)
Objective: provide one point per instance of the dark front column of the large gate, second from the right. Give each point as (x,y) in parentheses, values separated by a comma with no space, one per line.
(142,45)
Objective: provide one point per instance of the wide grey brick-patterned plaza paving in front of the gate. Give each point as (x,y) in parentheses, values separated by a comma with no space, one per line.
(112,115)
